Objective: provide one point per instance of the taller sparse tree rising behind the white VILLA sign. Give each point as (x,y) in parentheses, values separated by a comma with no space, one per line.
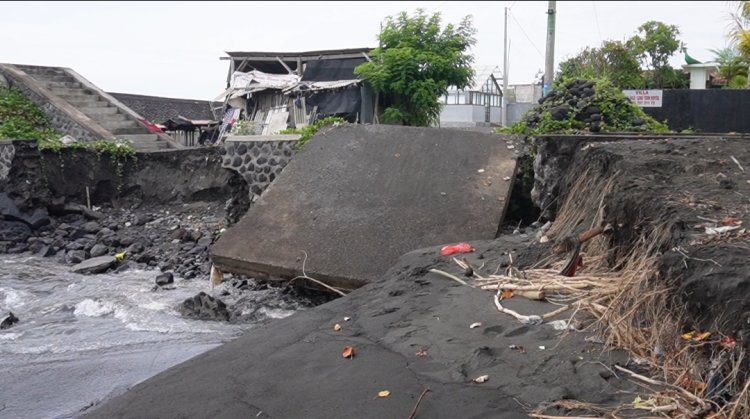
(654,44)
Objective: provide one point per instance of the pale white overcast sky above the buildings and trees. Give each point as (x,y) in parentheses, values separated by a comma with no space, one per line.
(172,49)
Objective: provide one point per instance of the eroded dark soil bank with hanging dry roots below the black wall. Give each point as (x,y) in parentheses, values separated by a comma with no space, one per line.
(679,249)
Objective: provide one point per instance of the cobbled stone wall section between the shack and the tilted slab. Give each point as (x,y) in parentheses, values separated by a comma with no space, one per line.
(258,161)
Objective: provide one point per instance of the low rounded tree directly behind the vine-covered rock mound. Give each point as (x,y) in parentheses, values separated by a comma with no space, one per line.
(612,60)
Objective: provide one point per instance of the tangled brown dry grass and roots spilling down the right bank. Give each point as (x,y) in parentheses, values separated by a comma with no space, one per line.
(637,310)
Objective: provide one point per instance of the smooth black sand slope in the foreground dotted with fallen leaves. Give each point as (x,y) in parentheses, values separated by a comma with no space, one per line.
(293,368)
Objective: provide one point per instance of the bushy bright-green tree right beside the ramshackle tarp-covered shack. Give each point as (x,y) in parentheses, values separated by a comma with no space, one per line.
(415,64)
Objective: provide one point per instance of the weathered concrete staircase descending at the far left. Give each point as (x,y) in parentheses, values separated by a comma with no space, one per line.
(97,105)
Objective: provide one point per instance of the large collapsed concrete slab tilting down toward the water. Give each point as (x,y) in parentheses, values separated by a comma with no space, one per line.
(358,197)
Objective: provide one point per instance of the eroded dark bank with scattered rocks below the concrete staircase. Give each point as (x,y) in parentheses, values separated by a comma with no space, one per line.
(161,209)
